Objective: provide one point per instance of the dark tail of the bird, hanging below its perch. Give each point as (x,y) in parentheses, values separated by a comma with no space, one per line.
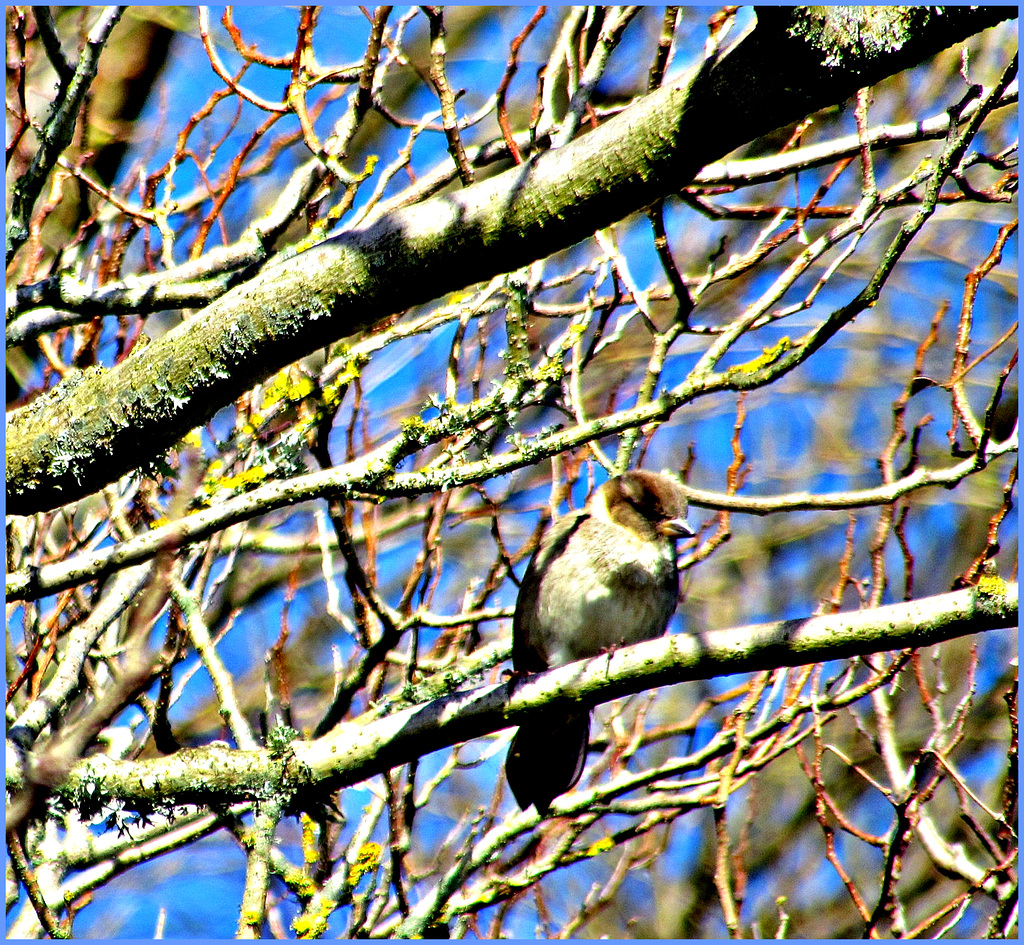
(546,759)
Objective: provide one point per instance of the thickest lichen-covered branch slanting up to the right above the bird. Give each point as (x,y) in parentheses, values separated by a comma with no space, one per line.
(95,427)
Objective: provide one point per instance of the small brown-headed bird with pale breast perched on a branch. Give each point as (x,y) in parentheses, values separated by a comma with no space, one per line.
(604,577)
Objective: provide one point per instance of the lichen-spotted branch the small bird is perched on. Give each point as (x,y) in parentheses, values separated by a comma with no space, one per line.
(356,751)
